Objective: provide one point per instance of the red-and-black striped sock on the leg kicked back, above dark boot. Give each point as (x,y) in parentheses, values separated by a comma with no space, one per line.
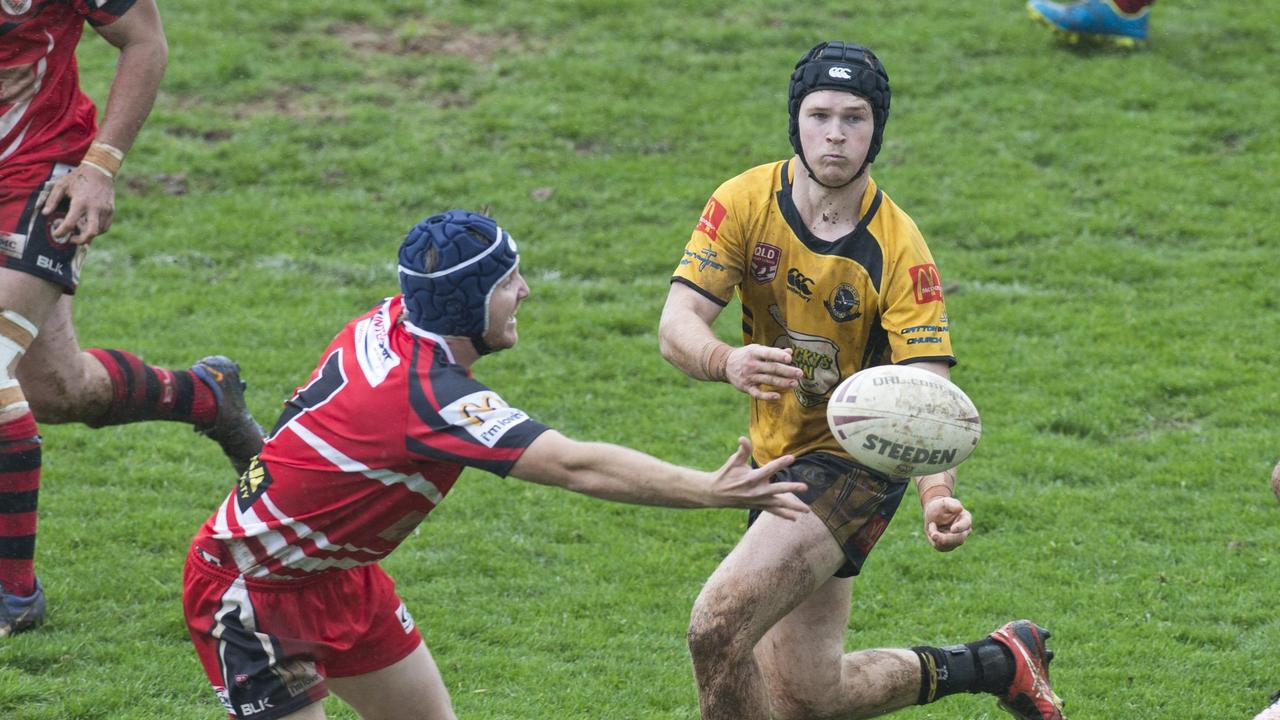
(145,393)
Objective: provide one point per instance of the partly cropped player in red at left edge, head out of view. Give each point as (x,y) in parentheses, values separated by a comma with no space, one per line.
(57,194)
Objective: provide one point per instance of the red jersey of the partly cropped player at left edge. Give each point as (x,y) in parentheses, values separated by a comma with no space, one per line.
(44,115)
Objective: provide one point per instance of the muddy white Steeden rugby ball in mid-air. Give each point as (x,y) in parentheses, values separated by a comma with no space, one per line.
(903,421)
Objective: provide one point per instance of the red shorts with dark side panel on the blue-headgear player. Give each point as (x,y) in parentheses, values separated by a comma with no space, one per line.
(268,646)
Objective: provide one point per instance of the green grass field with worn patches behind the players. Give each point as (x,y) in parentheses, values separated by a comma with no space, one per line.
(1107,221)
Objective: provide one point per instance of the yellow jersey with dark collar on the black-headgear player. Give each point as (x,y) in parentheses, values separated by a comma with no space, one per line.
(871,298)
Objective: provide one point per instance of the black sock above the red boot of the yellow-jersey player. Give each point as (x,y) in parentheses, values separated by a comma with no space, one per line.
(985,667)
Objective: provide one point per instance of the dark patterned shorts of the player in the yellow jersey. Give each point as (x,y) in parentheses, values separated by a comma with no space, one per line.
(854,503)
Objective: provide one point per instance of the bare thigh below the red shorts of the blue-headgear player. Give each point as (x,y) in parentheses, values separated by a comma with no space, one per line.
(410,690)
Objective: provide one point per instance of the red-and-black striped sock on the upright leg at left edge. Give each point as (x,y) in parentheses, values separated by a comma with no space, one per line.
(20,485)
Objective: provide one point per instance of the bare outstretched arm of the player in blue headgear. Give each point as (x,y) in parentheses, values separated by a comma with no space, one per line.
(616,473)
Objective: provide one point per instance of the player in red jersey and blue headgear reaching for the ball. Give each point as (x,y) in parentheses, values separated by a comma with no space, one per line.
(284,594)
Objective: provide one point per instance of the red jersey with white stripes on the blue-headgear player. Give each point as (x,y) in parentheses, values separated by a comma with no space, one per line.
(363,453)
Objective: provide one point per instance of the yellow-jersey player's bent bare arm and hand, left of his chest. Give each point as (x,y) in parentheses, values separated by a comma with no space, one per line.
(688,343)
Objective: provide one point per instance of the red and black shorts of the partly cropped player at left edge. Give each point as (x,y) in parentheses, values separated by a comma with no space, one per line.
(28,243)
